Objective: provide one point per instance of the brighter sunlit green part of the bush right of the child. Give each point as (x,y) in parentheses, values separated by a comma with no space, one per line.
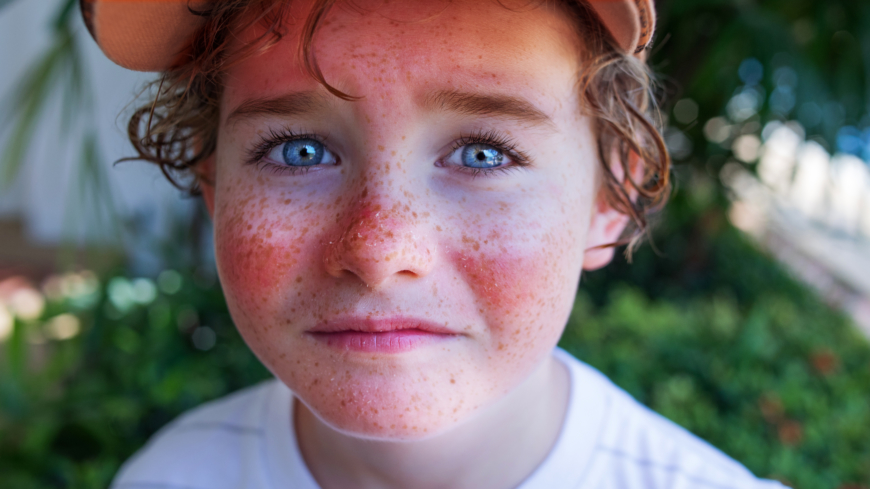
(779,385)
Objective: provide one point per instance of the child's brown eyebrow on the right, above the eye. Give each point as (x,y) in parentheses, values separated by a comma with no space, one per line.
(488,105)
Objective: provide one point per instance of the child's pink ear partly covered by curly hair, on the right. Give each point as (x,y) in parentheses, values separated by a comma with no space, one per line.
(607,224)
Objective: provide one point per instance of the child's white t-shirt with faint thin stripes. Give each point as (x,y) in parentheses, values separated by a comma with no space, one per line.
(608,441)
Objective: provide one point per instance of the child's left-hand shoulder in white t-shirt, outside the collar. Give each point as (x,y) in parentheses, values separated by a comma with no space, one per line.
(214,446)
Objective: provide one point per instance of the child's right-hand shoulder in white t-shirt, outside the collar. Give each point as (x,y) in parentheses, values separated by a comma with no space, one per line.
(638,448)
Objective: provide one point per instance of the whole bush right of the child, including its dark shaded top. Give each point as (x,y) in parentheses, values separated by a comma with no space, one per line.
(716,336)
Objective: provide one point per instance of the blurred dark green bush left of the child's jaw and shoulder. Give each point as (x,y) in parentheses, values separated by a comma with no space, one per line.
(71,411)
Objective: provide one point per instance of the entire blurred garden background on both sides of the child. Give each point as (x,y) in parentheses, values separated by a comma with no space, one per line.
(745,319)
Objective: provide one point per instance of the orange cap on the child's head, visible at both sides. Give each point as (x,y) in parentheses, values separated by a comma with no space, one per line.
(151,35)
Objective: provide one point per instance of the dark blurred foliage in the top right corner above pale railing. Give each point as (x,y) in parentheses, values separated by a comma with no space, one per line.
(812,65)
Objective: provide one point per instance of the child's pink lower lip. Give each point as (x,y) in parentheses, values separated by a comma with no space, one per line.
(382,342)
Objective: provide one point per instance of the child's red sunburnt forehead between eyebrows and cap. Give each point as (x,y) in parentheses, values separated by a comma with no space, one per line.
(519,48)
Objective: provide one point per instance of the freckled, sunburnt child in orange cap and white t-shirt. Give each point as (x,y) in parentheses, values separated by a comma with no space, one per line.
(404,195)
